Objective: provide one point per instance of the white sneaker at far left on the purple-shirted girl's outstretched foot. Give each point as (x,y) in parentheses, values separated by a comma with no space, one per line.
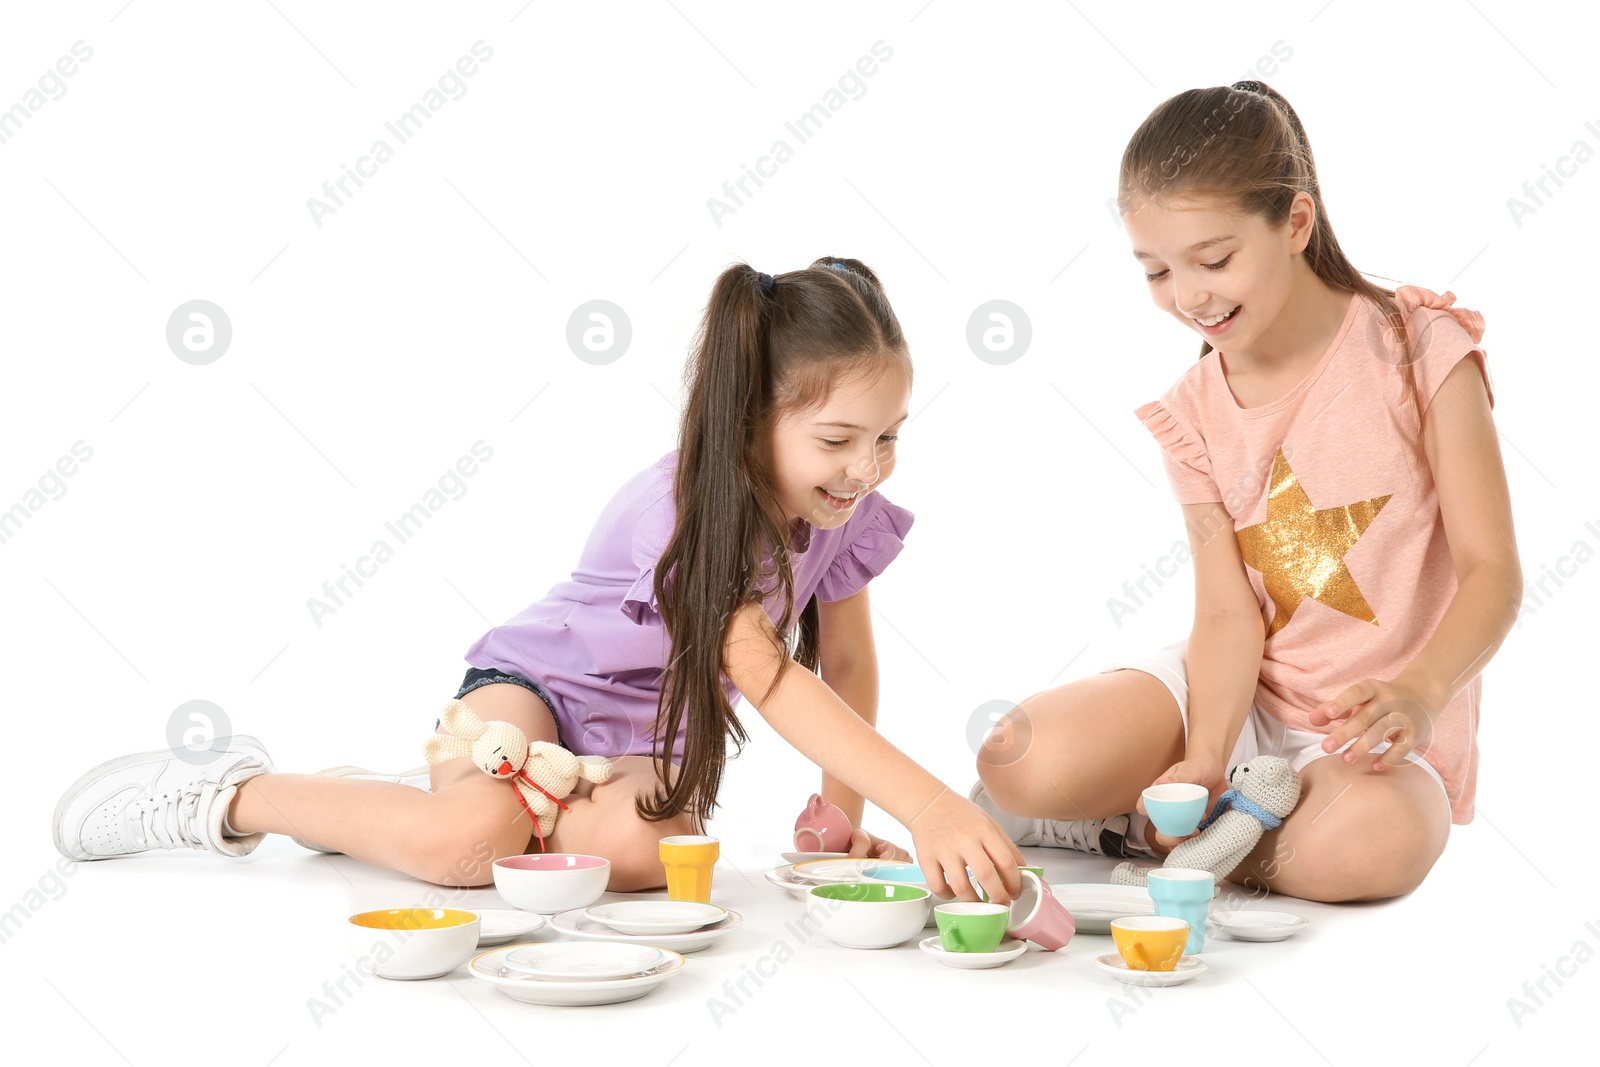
(156,801)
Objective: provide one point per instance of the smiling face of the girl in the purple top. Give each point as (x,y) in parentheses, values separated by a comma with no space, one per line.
(826,460)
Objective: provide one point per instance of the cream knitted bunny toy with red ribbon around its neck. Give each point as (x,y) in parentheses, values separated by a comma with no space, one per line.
(542,773)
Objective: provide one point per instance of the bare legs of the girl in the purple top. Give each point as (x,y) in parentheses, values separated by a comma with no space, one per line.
(454,834)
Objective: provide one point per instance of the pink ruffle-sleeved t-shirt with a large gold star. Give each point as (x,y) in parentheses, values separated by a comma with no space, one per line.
(1337,514)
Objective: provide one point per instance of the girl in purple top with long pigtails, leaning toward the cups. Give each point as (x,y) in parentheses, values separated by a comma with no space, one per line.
(735,565)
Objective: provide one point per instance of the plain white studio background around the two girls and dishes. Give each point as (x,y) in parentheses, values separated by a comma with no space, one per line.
(430,313)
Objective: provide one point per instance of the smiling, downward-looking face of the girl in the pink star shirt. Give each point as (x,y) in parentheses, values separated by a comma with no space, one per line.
(1225,276)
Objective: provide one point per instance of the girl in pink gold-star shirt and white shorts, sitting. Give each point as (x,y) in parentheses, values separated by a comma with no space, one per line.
(1356,565)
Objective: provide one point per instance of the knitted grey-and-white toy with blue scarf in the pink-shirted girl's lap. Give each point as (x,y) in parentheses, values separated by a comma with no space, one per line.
(1262,794)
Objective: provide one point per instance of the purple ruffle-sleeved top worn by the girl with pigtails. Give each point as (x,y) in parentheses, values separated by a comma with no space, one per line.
(598,644)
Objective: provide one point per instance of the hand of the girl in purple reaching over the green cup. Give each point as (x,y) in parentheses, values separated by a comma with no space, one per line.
(954,834)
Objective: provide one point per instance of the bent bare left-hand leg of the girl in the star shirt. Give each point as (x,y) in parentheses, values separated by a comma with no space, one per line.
(1086,749)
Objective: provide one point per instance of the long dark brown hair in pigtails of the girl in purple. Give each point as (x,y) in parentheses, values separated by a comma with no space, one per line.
(759,354)
